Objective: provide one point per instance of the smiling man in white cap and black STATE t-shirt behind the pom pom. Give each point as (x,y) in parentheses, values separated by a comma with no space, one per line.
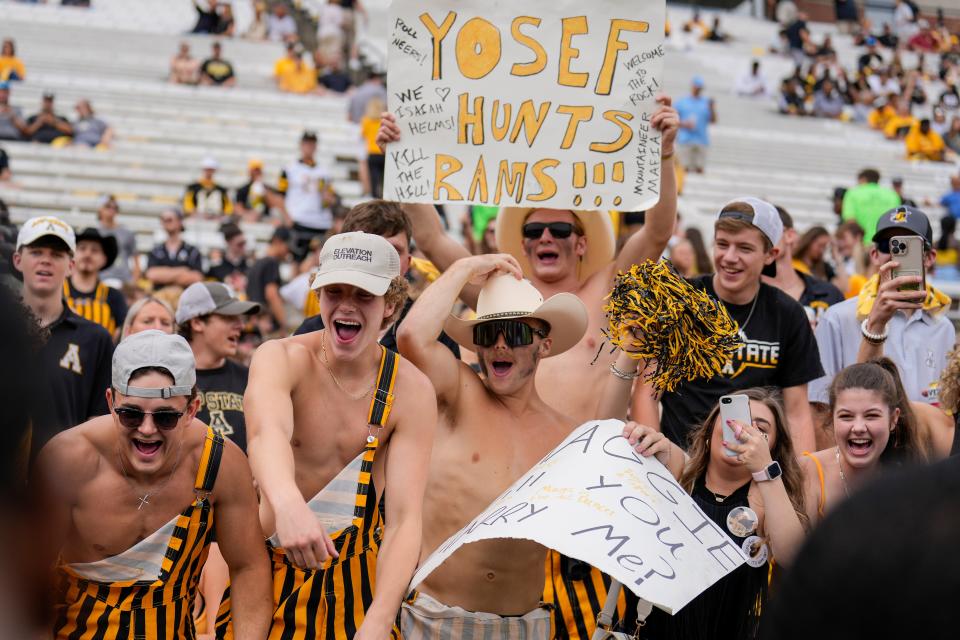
(778,347)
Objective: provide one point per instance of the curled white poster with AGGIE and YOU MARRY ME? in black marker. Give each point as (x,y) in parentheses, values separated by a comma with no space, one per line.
(593,498)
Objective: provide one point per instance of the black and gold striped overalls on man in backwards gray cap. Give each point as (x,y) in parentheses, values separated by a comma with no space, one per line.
(155,609)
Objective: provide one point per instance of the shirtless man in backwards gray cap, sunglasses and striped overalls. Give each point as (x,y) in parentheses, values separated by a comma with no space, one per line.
(135,497)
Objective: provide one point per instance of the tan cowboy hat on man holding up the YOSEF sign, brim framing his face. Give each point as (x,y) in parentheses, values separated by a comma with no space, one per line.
(597,228)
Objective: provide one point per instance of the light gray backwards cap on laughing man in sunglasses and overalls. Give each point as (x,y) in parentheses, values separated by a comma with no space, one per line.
(154,348)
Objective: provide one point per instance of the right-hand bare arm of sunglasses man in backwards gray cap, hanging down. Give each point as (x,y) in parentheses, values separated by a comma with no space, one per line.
(241,544)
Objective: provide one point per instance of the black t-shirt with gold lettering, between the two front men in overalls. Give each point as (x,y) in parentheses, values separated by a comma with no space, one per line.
(221,400)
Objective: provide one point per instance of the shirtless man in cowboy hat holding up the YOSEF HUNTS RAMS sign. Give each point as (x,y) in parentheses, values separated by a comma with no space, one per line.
(565,251)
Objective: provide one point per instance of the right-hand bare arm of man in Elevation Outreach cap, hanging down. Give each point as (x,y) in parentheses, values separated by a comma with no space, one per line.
(407,464)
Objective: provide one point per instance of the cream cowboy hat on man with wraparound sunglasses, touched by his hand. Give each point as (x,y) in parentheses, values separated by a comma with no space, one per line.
(505,297)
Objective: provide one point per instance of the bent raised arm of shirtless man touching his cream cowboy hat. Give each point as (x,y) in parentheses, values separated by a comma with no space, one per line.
(418,333)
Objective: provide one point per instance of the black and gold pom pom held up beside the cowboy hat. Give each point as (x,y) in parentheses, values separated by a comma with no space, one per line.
(654,314)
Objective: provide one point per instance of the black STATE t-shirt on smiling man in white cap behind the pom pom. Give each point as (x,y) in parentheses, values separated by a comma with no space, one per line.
(779,350)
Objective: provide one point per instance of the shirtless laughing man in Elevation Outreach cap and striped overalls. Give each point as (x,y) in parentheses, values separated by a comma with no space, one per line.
(324,412)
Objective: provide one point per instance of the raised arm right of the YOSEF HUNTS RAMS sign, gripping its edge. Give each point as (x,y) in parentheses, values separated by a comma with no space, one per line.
(649,242)
